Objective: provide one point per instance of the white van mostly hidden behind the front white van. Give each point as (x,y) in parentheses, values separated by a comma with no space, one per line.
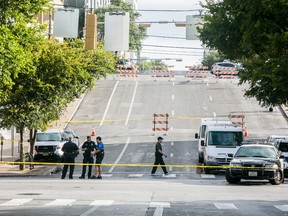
(201,135)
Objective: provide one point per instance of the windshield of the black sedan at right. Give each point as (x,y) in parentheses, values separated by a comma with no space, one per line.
(256,151)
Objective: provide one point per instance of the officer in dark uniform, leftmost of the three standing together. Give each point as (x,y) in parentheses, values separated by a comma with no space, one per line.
(70,150)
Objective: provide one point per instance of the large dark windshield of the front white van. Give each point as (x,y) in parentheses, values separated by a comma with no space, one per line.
(226,138)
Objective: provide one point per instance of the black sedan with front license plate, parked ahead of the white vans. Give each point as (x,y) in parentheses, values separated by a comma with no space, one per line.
(256,162)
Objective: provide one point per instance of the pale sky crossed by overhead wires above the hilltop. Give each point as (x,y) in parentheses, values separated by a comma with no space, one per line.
(191,54)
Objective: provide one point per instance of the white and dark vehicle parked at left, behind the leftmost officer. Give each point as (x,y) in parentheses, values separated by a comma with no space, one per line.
(48,145)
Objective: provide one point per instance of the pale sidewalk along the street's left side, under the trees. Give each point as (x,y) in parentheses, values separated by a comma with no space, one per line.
(7,170)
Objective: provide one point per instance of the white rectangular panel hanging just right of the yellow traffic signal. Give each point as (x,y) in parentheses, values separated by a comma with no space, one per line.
(116,31)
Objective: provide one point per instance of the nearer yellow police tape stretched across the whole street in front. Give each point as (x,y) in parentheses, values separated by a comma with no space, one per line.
(132,165)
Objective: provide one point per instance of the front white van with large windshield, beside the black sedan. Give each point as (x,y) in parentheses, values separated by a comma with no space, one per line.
(222,140)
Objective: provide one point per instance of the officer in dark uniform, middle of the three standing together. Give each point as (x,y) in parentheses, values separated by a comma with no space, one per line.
(88,147)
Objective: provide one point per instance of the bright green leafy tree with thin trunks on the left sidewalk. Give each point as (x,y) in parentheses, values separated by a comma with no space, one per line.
(39,78)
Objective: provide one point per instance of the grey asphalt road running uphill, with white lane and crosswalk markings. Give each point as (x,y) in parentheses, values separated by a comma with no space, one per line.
(121,111)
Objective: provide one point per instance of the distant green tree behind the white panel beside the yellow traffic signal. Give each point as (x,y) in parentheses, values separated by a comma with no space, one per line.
(137,33)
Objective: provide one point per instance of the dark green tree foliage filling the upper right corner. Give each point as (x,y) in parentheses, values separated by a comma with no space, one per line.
(255,32)
